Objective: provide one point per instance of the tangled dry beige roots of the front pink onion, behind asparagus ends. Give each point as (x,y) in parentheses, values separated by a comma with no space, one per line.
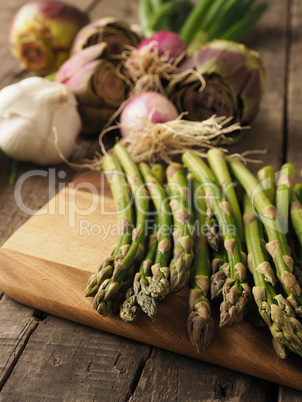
(164,141)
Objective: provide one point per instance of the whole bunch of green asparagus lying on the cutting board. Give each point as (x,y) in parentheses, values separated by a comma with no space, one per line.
(186,226)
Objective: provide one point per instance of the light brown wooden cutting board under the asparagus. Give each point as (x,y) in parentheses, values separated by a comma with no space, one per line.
(47,262)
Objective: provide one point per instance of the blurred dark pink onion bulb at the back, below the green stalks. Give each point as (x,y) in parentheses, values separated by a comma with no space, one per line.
(166,41)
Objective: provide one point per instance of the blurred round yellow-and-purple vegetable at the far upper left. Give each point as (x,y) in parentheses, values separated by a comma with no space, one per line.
(41,34)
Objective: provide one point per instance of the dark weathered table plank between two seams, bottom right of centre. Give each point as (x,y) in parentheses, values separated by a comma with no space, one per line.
(168,376)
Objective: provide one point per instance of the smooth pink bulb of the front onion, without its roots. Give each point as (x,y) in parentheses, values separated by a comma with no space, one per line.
(146,106)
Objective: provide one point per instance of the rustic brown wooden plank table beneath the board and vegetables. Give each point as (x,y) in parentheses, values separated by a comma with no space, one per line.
(43,357)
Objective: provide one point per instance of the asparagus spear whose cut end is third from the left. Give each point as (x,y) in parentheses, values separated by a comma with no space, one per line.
(159,285)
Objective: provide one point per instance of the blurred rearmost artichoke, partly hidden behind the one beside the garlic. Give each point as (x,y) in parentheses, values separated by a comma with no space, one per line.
(118,35)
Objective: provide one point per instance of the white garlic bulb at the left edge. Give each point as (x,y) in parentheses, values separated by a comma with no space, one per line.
(33,112)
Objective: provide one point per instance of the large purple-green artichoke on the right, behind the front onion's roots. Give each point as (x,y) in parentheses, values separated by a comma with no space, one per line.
(235,82)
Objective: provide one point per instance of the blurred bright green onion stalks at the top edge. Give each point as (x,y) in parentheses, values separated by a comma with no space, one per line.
(201,22)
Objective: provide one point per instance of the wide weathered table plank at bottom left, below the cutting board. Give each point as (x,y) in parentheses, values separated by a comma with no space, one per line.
(64,361)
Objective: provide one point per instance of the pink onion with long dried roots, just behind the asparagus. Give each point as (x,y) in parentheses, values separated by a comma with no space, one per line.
(152,130)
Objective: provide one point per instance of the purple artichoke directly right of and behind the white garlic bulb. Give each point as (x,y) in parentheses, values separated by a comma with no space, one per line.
(93,77)
